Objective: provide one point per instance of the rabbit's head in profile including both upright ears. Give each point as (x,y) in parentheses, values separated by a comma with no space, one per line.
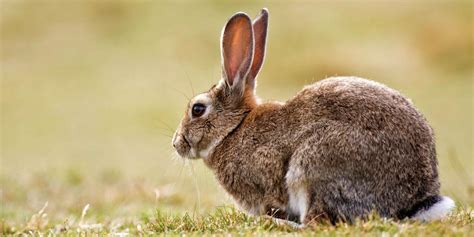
(210,116)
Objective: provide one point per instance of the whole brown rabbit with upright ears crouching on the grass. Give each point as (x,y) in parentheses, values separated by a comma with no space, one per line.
(338,150)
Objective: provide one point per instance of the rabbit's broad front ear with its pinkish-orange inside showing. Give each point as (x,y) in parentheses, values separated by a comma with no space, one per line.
(237,49)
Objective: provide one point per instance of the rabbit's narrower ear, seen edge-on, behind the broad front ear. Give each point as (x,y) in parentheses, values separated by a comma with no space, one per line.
(260,26)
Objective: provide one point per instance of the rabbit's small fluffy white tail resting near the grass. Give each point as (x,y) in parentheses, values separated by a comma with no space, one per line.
(434,208)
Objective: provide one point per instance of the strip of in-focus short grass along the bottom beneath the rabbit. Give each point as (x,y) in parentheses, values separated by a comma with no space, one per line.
(227,220)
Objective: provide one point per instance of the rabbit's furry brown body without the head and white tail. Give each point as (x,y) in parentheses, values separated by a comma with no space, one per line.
(330,150)
